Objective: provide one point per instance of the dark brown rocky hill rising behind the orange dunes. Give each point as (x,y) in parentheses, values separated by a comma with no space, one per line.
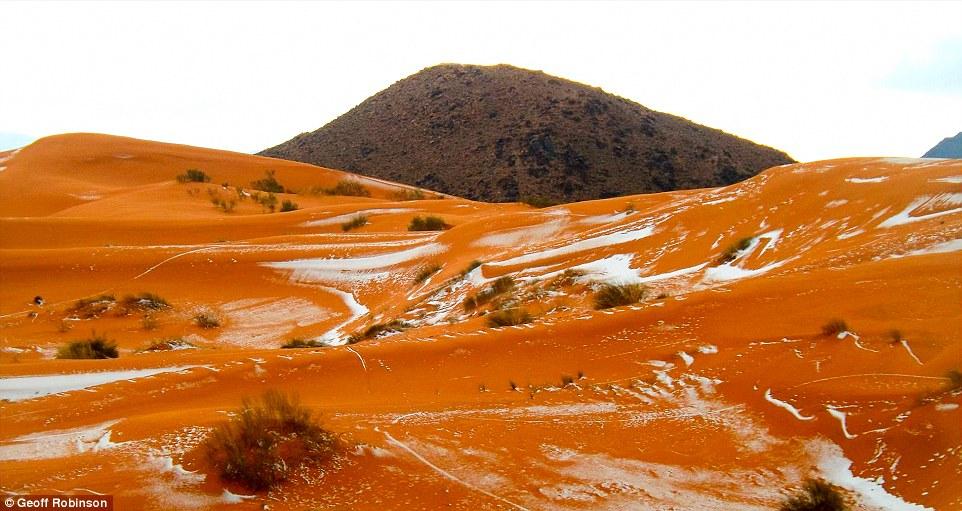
(500,133)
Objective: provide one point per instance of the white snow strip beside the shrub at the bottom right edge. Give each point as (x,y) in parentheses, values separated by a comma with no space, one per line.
(837,470)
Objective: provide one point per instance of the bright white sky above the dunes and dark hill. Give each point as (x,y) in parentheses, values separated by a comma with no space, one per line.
(818,80)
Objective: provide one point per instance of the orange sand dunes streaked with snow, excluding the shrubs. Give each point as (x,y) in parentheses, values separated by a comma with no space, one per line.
(721,393)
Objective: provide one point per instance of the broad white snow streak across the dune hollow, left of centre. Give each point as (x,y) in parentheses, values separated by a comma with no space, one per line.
(353,270)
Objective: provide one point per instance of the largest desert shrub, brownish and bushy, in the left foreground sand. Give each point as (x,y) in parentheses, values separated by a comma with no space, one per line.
(266,440)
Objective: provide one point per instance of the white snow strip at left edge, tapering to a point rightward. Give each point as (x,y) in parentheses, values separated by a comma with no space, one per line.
(29,387)
